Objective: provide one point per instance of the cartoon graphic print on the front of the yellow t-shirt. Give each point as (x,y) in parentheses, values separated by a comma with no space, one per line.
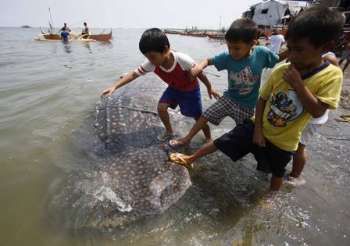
(285,107)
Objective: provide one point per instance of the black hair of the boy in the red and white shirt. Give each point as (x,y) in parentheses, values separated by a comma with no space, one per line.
(155,40)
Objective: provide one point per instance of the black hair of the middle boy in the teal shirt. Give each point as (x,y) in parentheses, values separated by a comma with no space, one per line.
(243,29)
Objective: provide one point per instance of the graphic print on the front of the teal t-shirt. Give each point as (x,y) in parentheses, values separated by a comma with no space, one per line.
(244,81)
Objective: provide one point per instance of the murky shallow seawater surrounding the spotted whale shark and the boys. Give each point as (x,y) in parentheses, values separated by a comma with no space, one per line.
(48,91)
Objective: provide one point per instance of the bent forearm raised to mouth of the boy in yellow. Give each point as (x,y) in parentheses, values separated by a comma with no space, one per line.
(311,103)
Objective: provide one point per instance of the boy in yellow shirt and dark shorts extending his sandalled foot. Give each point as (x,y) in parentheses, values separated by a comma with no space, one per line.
(304,88)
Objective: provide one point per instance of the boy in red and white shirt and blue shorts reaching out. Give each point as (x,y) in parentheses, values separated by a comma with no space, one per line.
(174,69)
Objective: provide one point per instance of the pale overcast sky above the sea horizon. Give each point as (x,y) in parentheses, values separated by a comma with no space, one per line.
(123,13)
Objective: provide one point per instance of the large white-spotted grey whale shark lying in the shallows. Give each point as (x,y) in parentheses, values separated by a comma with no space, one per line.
(129,176)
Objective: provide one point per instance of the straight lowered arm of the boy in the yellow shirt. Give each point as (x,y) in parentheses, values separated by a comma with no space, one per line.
(258,137)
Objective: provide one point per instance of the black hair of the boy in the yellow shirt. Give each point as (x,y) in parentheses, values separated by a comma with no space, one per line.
(320,25)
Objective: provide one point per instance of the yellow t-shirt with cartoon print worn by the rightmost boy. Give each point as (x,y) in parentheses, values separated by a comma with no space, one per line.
(284,116)
